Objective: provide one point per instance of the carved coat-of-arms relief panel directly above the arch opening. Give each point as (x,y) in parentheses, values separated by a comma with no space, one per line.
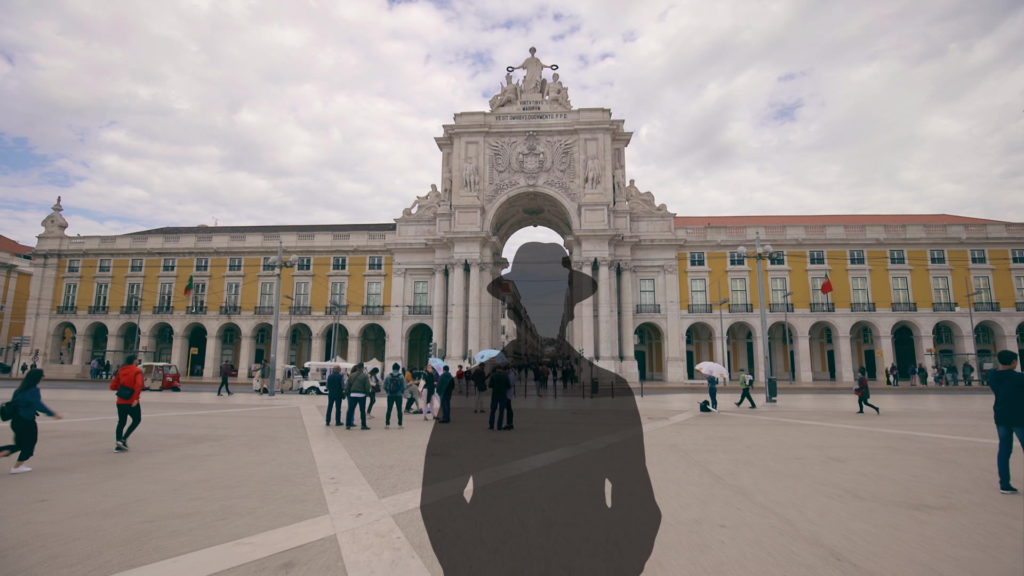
(529,161)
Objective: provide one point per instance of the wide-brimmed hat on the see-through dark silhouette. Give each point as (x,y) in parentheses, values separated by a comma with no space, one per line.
(538,262)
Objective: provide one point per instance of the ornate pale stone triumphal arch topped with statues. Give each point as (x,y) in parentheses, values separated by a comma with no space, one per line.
(535,160)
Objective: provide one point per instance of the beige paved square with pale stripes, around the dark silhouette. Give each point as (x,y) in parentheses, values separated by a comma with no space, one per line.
(250,485)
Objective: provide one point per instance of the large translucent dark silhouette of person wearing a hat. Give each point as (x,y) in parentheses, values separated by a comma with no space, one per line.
(572,495)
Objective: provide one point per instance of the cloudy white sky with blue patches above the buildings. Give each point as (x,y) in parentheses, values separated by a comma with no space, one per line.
(230,112)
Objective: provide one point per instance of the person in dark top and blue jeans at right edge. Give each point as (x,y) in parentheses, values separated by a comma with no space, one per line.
(1008,386)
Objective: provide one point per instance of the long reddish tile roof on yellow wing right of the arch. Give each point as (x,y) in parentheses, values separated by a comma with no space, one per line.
(825,220)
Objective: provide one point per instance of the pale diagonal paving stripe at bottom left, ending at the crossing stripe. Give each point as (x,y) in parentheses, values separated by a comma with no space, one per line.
(231,555)
